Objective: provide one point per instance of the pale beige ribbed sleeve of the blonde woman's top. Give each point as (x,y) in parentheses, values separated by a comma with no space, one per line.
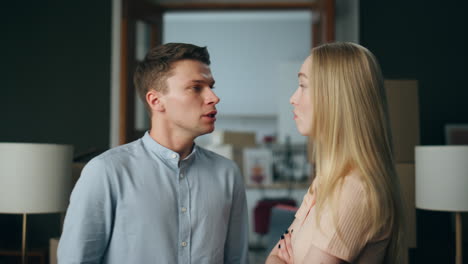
(346,235)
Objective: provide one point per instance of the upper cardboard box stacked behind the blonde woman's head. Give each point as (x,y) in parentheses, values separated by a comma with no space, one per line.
(403,106)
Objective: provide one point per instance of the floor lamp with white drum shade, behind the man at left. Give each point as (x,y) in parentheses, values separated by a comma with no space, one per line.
(34,179)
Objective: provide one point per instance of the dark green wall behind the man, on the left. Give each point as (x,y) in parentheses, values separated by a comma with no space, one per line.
(54,85)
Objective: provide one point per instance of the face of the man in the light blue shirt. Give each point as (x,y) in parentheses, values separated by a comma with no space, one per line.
(189,101)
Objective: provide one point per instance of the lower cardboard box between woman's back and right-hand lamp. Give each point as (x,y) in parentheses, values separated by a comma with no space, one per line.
(406,174)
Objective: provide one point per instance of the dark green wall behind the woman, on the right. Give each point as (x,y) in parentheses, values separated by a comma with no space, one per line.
(424,40)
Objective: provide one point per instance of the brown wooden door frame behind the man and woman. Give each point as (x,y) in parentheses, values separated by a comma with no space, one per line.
(323,30)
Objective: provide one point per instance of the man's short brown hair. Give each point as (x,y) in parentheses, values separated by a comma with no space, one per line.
(154,70)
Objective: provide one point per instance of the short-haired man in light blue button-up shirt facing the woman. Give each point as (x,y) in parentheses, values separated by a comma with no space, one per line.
(162,199)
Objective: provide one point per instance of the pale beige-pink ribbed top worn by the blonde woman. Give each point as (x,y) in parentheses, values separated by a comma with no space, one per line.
(355,243)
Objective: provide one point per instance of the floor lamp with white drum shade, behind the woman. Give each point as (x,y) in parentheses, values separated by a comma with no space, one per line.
(441,183)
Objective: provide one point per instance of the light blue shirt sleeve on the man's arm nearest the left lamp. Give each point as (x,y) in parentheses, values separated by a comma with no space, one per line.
(88,220)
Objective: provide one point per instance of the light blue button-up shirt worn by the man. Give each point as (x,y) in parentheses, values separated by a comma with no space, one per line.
(135,204)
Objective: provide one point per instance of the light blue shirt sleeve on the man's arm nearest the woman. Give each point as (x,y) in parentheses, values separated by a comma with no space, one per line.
(236,246)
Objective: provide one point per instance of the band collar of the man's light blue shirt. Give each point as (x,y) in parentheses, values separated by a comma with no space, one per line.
(166,154)
